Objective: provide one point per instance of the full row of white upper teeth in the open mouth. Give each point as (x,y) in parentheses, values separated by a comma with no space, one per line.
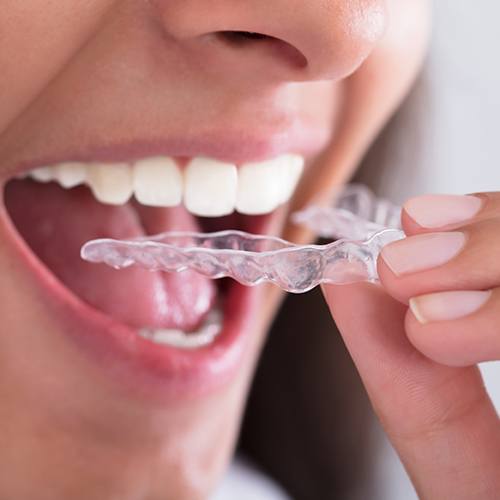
(209,187)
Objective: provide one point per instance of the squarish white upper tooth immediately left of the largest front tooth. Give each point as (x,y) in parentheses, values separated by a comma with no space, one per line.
(157,182)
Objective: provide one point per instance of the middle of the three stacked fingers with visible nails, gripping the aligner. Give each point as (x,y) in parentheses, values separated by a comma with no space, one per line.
(463,259)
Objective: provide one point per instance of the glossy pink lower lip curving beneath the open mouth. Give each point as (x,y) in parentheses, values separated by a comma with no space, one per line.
(136,364)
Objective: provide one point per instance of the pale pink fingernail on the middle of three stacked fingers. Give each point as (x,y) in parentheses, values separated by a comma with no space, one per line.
(423,251)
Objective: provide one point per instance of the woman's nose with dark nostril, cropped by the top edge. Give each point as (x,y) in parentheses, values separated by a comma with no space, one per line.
(293,40)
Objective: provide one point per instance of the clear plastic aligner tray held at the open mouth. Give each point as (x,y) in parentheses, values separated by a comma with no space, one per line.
(363,223)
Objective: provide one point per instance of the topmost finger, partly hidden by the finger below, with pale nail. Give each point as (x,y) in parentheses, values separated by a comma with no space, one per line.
(445,212)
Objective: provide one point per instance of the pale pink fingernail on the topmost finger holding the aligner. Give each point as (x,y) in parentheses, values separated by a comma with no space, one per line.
(441,210)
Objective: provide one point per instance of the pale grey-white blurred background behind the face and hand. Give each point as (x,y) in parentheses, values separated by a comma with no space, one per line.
(458,143)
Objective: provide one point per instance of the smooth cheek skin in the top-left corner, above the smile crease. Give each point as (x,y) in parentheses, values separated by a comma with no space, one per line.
(40,38)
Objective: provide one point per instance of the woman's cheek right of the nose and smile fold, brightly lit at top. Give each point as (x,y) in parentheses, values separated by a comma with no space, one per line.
(362,104)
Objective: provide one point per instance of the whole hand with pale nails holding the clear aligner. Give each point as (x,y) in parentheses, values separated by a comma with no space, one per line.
(418,362)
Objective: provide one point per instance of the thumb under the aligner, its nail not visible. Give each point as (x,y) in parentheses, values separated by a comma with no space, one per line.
(439,419)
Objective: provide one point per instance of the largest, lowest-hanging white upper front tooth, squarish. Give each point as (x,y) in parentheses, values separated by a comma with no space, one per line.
(210,187)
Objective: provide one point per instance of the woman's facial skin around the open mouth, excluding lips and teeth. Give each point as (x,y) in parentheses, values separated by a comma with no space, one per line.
(79,76)
